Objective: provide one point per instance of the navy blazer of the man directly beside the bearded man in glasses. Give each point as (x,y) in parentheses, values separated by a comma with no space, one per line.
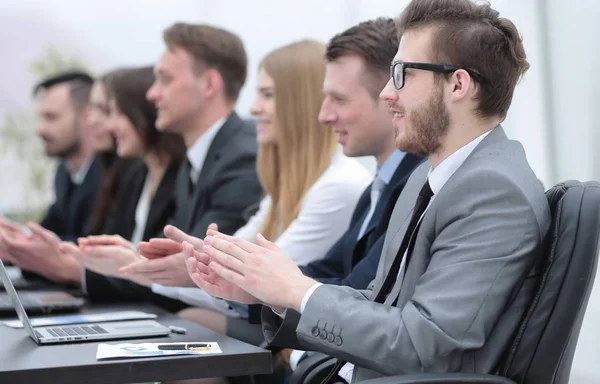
(354,262)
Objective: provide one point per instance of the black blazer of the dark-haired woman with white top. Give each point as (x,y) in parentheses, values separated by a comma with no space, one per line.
(121,221)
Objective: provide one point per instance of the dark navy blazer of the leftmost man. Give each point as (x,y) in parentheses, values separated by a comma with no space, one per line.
(69,215)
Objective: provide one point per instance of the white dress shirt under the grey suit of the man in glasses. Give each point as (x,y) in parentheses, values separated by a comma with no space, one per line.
(438,176)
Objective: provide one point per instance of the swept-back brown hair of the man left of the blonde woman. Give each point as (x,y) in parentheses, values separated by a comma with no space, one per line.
(212,47)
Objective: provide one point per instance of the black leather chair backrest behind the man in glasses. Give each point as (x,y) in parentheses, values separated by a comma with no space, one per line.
(543,348)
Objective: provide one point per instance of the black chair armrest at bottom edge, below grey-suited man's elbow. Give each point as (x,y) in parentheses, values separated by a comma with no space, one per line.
(441,378)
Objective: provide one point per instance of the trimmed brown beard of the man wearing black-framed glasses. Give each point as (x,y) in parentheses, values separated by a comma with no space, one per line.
(425,126)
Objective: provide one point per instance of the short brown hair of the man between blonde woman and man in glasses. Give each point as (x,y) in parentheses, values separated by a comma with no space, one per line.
(376,42)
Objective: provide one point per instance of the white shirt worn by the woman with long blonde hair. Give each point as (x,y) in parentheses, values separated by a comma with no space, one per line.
(323,218)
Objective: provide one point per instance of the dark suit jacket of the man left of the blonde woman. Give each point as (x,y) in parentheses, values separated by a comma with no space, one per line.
(228,193)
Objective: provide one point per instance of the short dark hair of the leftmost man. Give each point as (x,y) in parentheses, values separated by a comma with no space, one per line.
(80,86)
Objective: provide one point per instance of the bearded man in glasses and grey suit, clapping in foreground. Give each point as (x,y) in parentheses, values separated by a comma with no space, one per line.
(458,262)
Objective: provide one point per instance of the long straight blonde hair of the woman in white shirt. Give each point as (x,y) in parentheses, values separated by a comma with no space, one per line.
(304,147)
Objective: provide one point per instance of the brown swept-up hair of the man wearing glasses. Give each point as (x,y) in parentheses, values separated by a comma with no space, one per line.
(472,35)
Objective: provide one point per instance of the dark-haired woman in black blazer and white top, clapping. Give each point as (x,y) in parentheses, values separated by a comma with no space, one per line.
(145,199)
